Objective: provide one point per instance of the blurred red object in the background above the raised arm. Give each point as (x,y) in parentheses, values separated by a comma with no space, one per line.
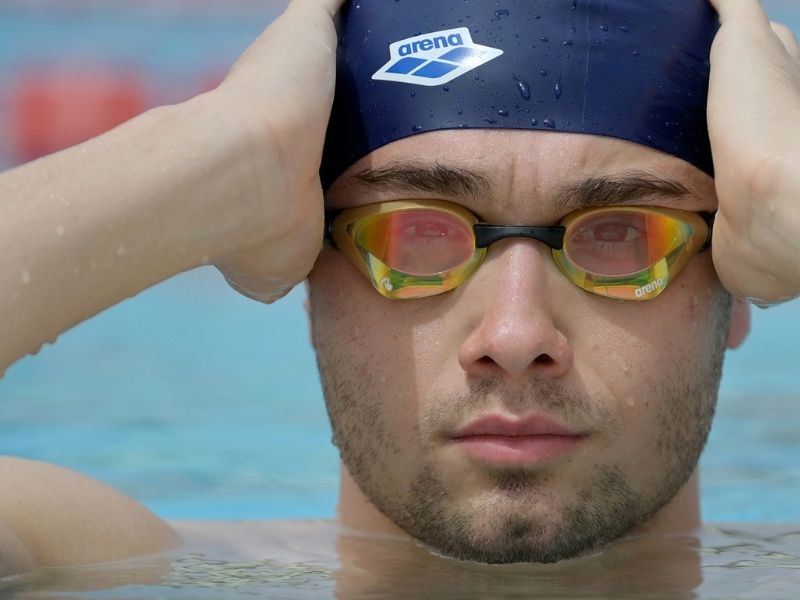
(54,110)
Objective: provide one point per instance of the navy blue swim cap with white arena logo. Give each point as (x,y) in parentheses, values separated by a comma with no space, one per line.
(631,69)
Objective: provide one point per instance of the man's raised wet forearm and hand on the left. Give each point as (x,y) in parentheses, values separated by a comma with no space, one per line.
(227,178)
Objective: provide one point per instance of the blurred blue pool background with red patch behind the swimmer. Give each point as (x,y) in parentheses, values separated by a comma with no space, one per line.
(202,404)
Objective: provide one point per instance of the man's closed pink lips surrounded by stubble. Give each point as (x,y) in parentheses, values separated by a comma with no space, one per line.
(532,440)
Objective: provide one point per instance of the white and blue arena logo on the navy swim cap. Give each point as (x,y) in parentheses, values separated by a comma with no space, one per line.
(435,58)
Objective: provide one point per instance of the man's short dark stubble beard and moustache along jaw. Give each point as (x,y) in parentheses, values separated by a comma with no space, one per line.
(510,528)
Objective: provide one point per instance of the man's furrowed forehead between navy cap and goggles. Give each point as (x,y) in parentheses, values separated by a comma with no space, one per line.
(509,163)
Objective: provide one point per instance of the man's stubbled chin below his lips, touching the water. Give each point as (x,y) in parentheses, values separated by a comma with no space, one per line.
(522,517)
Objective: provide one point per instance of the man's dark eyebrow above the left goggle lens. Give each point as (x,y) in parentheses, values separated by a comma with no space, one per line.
(435,178)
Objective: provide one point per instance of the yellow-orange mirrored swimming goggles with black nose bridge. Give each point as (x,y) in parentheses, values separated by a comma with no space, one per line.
(419,248)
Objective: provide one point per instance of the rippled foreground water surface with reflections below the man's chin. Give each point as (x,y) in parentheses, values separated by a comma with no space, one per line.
(317,560)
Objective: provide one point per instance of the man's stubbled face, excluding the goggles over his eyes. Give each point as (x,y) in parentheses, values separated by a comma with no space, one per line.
(633,384)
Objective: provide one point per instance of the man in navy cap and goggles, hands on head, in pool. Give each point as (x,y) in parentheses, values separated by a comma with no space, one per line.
(500,310)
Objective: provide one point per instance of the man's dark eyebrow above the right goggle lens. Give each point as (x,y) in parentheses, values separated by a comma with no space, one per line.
(623,188)
